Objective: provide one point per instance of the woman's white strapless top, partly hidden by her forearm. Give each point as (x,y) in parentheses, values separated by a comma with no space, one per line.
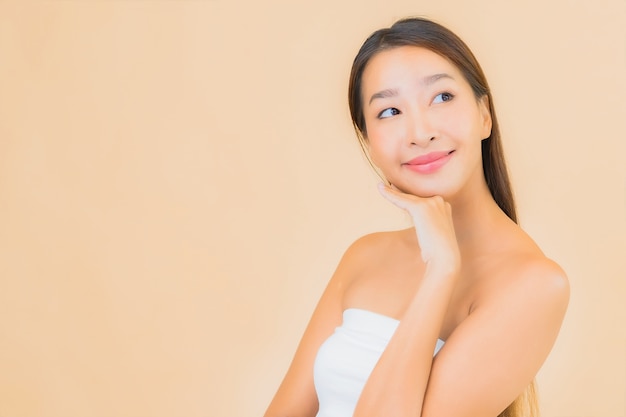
(346,359)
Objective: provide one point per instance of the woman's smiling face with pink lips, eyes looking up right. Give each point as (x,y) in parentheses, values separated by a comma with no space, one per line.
(424,124)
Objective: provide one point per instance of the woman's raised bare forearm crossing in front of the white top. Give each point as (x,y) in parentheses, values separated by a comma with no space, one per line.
(397,385)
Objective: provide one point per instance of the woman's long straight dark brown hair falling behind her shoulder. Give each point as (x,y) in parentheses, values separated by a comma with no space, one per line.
(427,34)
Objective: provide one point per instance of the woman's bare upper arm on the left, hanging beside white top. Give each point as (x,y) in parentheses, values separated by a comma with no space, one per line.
(296,396)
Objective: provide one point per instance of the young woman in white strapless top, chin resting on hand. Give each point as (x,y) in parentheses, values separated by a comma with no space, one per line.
(454,316)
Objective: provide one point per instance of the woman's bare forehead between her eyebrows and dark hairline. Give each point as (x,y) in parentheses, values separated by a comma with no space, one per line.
(392,68)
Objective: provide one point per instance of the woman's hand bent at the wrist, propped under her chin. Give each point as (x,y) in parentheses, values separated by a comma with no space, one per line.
(432,218)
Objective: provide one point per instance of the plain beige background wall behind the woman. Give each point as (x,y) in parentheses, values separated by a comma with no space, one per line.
(178,180)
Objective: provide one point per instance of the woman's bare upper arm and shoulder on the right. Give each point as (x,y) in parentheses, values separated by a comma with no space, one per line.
(496,351)
